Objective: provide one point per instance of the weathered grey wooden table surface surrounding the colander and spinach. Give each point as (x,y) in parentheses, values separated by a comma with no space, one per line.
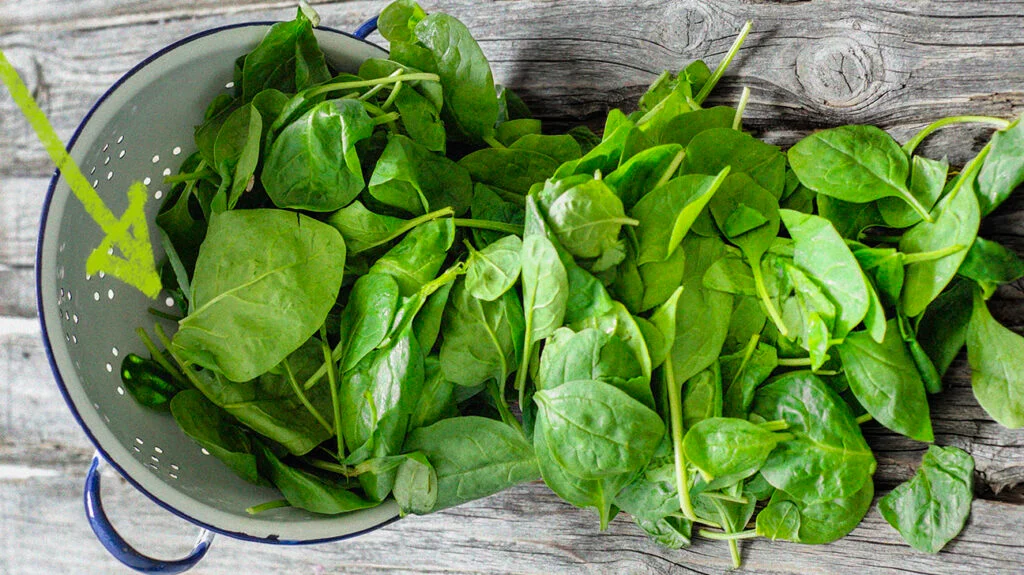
(809,65)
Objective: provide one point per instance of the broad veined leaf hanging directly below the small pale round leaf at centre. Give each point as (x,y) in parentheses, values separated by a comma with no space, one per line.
(483,340)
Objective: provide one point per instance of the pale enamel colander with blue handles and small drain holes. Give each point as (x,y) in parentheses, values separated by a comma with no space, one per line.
(142,129)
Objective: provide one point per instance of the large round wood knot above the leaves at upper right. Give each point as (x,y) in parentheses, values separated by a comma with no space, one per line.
(841,71)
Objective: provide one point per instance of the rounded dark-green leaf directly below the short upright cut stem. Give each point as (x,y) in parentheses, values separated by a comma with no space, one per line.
(713,150)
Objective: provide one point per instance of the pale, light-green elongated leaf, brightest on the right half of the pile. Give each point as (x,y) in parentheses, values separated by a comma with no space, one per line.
(822,253)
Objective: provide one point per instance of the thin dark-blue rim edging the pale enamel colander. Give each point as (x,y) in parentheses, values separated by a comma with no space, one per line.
(361,34)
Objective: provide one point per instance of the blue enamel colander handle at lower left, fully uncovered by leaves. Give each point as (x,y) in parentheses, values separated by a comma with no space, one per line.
(120,549)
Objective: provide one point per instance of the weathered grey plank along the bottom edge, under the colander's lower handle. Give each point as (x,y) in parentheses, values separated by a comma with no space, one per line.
(524,530)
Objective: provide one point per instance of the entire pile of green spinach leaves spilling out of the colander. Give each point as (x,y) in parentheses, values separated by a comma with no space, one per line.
(694,324)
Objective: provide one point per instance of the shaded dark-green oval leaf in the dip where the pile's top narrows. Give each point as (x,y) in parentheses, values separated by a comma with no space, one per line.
(513,169)
